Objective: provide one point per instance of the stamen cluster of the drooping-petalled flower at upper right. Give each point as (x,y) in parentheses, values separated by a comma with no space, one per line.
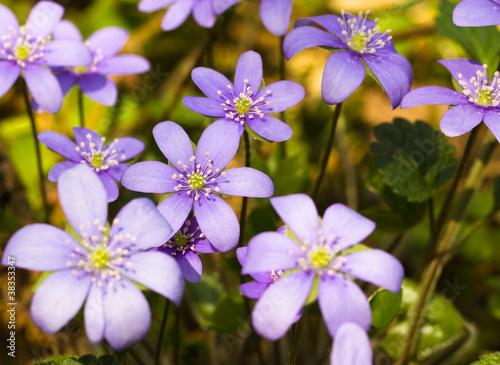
(361,37)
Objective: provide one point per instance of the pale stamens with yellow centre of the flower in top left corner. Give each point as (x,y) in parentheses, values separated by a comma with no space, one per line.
(21,47)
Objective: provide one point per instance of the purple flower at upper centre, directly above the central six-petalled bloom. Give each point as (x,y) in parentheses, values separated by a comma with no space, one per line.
(245,101)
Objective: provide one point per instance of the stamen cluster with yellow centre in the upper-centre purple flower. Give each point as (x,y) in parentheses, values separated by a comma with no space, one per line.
(243,104)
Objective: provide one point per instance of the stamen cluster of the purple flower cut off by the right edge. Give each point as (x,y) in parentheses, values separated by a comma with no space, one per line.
(480,93)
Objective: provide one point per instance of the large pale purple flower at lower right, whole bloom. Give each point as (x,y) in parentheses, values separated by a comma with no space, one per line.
(316,263)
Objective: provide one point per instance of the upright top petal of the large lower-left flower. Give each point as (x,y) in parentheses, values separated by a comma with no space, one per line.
(83,200)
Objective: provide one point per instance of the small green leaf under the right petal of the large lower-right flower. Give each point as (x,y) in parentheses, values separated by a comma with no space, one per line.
(385,305)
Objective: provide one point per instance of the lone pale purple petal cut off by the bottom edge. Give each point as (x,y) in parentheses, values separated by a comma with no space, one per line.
(351,346)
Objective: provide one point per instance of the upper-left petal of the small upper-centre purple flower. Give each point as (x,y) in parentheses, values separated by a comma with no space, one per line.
(210,82)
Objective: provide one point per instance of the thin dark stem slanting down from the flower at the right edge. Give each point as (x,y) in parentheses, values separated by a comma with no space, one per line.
(445,210)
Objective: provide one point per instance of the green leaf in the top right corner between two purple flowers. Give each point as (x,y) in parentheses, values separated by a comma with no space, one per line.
(480,42)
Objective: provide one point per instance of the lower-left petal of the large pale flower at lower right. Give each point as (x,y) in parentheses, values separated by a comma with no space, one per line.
(278,307)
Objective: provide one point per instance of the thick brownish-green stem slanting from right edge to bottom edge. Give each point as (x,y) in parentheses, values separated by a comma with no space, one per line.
(443,253)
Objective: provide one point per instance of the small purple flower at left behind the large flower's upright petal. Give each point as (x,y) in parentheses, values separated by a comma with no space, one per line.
(90,149)
